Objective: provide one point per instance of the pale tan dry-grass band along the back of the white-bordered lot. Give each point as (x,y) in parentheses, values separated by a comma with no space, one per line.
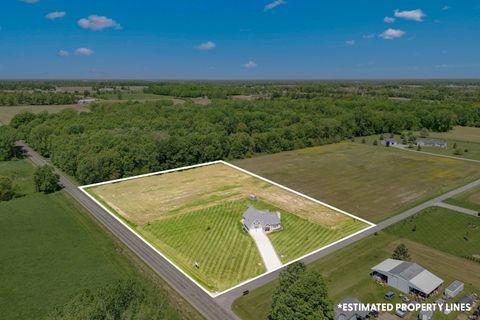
(157,197)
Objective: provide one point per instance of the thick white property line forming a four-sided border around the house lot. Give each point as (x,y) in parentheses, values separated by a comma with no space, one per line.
(215,295)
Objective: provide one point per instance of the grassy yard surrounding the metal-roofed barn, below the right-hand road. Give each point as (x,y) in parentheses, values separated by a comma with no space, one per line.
(347,271)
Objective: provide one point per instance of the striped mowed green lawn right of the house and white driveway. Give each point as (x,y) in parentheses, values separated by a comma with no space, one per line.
(299,236)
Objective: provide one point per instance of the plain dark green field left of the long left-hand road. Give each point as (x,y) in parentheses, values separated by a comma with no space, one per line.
(50,250)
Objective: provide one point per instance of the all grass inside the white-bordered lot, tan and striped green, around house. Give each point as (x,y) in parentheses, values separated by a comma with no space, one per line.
(194,216)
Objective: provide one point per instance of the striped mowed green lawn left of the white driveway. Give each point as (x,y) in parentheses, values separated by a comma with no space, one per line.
(212,237)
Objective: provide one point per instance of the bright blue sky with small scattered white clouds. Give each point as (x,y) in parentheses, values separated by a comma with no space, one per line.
(247,39)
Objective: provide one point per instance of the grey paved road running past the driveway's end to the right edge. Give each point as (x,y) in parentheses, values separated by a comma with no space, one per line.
(227,299)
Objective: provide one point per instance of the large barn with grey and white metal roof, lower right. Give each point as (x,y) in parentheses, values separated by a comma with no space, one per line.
(407,277)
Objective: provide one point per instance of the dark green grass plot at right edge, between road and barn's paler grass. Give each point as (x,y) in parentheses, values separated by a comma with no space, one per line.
(449,231)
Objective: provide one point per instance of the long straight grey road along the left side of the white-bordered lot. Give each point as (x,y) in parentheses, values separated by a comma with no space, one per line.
(191,292)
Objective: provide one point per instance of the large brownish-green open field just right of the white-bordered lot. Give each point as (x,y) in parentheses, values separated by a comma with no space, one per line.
(373,182)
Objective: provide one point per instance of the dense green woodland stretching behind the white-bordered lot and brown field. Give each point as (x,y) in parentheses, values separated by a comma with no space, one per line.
(117,140)
